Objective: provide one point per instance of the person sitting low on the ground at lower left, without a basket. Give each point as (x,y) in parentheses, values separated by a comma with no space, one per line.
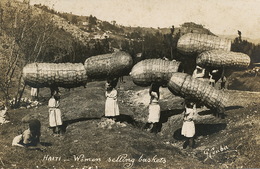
(30,138)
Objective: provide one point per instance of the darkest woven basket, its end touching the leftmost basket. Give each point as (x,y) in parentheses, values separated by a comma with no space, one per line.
(108,65)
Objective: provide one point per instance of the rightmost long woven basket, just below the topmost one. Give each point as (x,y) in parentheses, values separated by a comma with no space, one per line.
(220,58)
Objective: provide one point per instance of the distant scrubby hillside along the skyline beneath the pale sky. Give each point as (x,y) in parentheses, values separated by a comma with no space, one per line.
(98,29)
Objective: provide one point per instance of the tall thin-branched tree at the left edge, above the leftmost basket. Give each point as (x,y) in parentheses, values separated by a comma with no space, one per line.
(26,38)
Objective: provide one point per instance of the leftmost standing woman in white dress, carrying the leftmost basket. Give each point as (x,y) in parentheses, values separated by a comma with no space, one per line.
(55,119)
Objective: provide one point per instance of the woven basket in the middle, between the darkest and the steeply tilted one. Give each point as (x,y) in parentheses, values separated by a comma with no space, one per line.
(154,70)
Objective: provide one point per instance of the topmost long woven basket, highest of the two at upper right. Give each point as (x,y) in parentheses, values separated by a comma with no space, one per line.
(193,43)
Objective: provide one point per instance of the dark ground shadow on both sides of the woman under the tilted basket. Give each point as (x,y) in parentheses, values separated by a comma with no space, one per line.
(202,130)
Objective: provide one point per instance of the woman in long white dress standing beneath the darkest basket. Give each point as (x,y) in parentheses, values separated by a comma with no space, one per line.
(111,105)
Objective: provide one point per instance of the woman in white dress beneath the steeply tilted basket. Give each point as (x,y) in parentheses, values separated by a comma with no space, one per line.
(188,127)
